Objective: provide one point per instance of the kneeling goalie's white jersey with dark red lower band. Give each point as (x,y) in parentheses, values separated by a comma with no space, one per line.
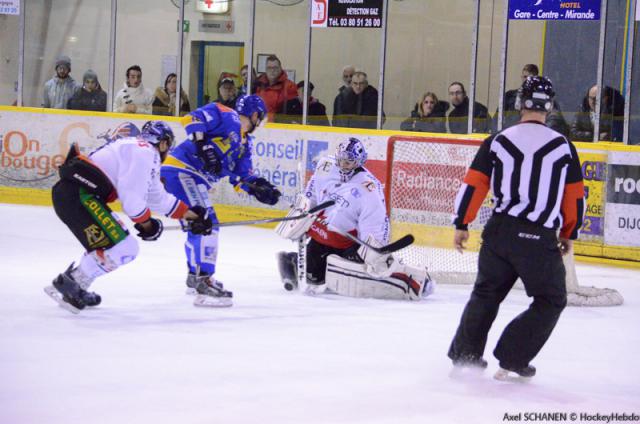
(359,209)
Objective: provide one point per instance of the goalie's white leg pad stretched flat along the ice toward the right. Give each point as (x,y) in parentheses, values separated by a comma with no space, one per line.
(352,279)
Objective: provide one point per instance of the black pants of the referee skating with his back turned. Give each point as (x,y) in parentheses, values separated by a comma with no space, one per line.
(513,248)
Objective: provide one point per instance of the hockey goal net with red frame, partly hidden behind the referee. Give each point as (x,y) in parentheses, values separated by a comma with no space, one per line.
(423,178)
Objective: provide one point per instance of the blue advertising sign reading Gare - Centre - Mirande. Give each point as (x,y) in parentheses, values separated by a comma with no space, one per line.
(555,10)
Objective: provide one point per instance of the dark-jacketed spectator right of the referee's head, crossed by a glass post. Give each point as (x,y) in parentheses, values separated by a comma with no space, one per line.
(611,116)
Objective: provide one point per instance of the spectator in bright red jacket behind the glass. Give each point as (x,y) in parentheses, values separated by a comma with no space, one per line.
(275,88)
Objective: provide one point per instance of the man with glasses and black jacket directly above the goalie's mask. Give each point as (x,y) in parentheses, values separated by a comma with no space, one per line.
(357,107)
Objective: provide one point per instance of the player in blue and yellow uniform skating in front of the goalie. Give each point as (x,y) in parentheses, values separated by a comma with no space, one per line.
(218,146)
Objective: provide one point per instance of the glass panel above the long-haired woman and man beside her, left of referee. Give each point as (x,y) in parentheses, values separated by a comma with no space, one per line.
(428,48)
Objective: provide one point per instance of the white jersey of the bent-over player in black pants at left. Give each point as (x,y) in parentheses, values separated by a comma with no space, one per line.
(133,167)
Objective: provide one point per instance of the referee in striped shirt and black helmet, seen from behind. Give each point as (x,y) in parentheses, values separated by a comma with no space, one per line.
(536,180)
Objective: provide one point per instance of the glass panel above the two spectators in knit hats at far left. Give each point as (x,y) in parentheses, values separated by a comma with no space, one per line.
(79,30)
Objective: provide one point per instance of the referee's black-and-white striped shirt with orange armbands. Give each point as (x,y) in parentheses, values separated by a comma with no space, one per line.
(534,174)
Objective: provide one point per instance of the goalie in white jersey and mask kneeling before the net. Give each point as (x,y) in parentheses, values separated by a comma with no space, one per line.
(331,261)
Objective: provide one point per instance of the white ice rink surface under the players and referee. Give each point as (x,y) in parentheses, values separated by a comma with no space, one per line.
(146,355)
